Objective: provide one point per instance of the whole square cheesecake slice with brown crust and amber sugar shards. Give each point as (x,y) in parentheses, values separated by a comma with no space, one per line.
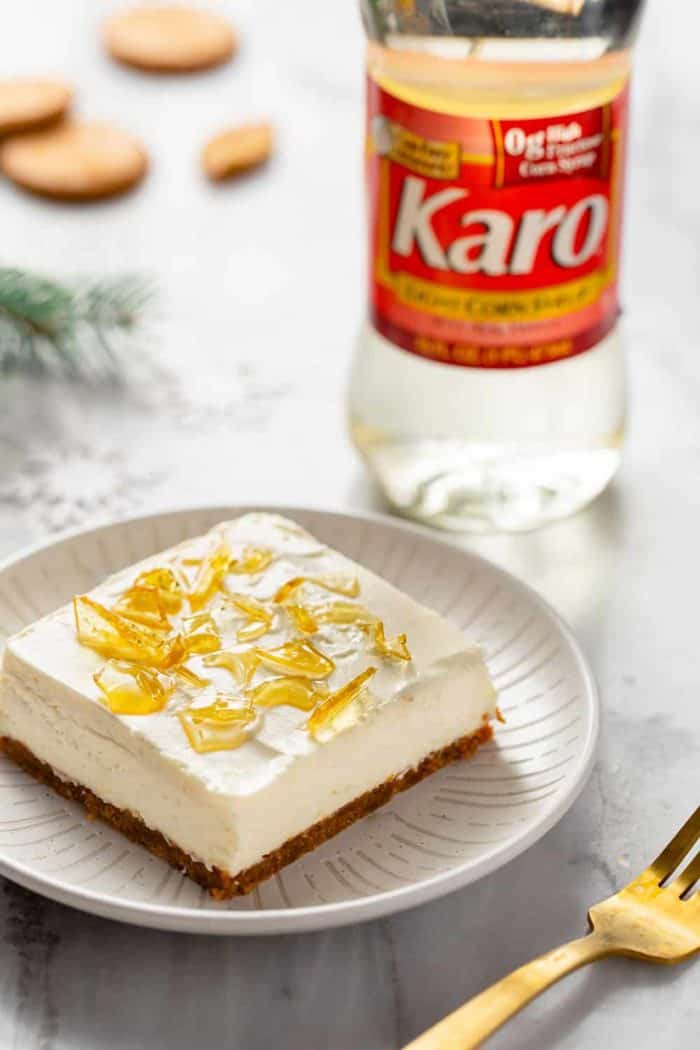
(238,700)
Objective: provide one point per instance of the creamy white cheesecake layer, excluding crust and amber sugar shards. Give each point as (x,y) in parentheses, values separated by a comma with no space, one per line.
(230,808)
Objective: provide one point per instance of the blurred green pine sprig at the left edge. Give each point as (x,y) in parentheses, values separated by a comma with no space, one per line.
(83,330)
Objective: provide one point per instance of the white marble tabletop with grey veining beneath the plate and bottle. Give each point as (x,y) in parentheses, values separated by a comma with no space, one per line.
(262,297)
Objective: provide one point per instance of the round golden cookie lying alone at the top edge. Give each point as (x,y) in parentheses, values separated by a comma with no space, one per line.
(169,39)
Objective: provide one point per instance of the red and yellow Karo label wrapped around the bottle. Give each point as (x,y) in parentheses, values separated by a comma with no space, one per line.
(494,244)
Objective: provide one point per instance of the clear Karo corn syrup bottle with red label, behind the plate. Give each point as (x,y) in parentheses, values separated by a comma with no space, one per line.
(489,385)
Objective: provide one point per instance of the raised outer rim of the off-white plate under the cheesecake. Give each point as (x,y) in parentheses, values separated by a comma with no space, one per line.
(308,918)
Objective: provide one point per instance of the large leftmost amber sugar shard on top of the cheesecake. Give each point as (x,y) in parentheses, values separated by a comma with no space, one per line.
(114,636)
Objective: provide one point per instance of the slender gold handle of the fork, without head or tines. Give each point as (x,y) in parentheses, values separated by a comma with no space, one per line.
(480,1018)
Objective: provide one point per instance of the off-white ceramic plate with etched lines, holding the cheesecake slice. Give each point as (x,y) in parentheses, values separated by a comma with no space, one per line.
(455,828)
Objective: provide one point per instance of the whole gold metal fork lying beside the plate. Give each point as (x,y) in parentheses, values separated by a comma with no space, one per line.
(646,920)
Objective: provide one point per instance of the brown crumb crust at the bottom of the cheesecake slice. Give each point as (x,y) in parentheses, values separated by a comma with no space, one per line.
(222,885)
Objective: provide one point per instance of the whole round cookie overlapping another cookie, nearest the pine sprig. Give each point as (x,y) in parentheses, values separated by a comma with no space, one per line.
(75,161)
